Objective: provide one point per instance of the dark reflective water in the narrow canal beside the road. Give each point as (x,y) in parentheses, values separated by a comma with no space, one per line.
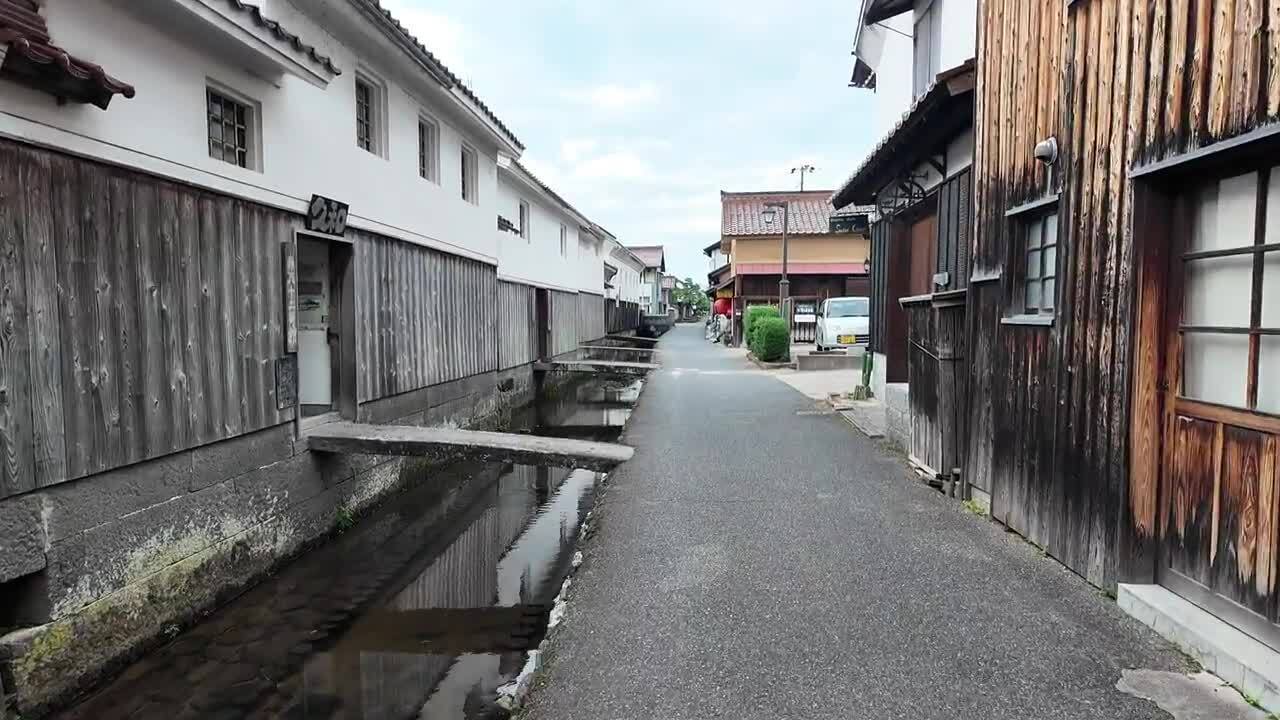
(422,610)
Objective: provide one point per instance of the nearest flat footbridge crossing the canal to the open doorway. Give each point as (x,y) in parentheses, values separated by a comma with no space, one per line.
(450,444)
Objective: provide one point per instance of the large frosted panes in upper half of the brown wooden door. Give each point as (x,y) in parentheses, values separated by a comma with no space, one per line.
(1231,325)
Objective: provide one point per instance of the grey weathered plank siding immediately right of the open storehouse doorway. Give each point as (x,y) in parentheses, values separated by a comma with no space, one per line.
(424,317)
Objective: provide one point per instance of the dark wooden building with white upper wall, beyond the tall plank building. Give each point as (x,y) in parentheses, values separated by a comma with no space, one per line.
(921,184)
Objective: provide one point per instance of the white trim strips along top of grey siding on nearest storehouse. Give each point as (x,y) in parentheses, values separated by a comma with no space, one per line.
(33,133)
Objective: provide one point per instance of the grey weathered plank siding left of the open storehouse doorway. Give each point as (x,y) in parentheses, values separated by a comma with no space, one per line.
(140,317)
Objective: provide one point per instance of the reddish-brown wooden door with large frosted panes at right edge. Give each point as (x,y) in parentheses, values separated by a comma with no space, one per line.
(1220,476)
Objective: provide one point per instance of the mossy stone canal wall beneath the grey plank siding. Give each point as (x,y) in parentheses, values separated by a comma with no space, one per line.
(140,552)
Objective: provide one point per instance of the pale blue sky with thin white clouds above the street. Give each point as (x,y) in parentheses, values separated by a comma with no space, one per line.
(641,113)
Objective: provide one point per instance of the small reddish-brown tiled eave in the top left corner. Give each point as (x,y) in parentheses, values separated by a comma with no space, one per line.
(35,61)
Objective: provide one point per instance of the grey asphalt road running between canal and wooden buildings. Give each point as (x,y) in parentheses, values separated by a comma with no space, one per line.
(756,560)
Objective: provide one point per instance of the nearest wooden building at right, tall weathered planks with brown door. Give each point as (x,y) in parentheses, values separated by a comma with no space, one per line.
(1124,303)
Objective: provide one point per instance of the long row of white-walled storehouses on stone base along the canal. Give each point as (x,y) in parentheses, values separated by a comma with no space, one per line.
(223,224)
